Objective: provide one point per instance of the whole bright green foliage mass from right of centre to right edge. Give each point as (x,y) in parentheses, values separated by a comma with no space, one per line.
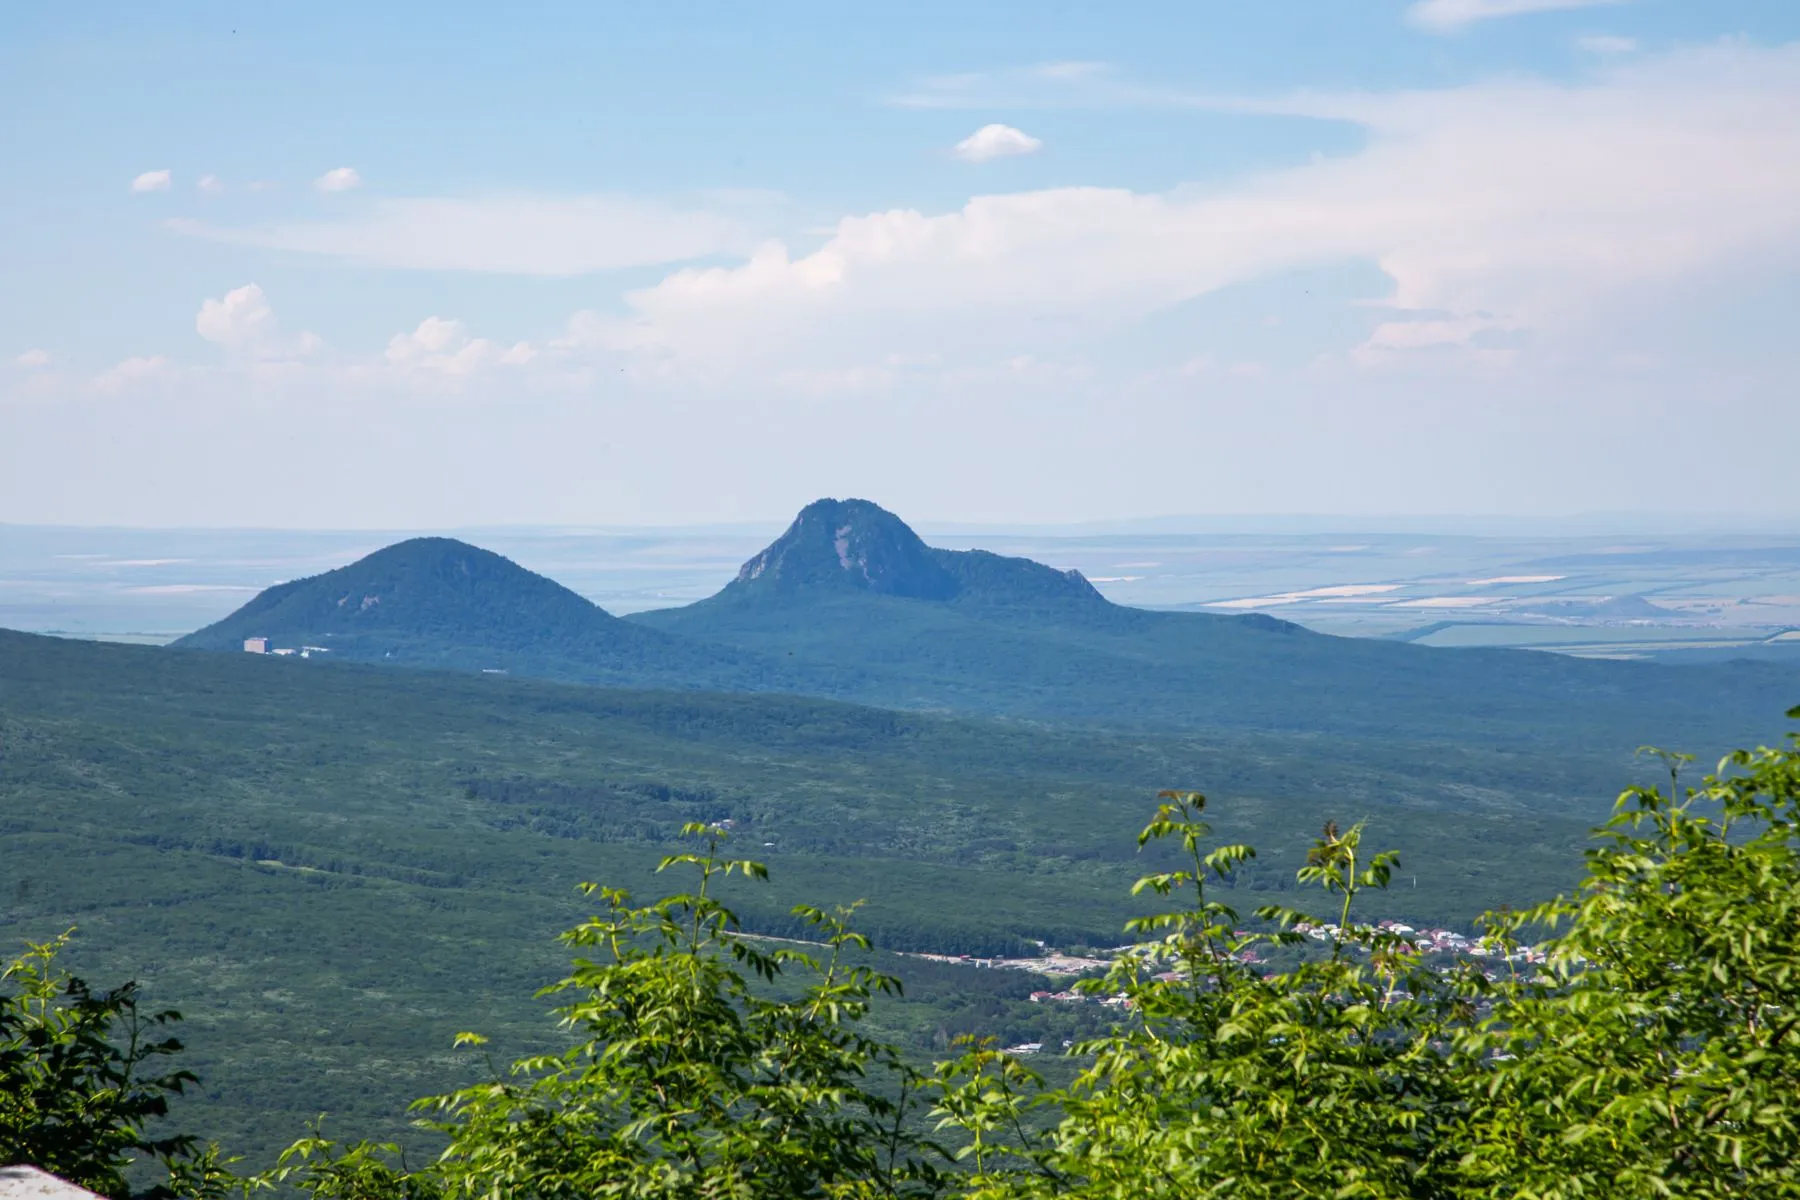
(1653,1053)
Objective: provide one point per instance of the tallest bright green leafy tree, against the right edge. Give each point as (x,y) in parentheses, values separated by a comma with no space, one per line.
(1659,1053)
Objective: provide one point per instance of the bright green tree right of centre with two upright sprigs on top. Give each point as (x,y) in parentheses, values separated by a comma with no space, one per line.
(1318,1082)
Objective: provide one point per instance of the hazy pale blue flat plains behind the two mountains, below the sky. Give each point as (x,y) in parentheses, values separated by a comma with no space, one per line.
(1547,584)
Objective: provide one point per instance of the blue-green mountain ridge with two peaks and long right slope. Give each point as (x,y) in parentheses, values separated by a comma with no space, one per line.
(849,604)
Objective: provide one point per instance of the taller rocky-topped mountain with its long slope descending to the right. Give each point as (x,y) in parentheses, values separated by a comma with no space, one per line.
(859,607)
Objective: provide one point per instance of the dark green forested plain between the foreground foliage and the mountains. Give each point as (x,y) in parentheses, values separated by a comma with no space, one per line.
(336,868)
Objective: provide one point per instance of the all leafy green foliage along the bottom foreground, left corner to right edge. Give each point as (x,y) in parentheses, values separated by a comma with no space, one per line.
(1655,1052)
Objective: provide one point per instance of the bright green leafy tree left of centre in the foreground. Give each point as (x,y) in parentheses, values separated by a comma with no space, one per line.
(685,1080)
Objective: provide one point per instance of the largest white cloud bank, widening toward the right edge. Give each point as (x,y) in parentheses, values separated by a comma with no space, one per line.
(1516,202)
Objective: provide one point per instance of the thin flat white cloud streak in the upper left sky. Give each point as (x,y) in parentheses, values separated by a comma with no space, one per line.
(503,235)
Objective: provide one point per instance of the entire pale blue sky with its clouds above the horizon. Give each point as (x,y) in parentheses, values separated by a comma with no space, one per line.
(402,265)
